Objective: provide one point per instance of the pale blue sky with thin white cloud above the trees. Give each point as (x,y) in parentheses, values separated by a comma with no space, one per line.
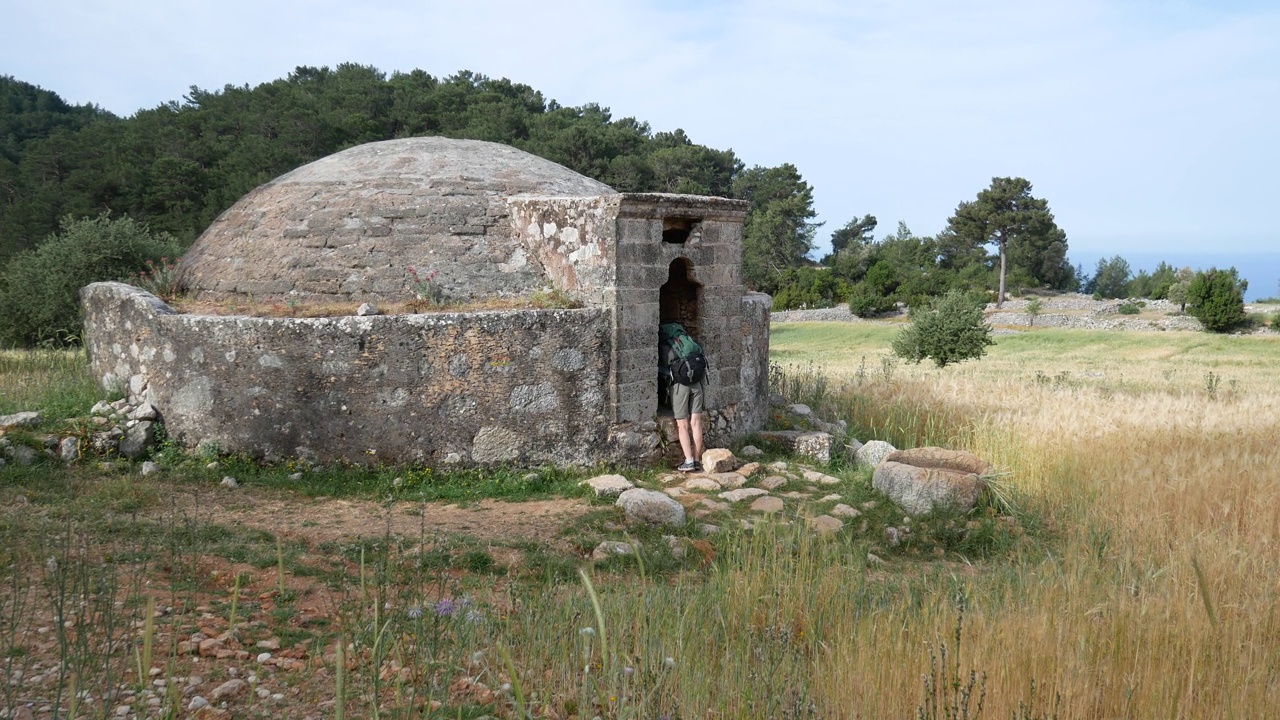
(1150,127)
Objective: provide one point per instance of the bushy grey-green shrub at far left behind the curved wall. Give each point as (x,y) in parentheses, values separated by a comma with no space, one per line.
(40,289)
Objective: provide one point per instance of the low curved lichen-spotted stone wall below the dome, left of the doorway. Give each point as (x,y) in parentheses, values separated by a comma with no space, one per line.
(522,388)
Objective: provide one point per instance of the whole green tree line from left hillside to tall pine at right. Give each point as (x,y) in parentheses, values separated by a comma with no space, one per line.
(72,174)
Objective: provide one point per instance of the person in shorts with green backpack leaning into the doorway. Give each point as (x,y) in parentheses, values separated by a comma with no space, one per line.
(684,367)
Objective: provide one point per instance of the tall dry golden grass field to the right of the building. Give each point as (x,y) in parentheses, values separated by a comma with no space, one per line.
(1160,598)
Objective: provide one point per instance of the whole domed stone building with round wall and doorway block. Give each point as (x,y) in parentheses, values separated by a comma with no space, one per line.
(468,388)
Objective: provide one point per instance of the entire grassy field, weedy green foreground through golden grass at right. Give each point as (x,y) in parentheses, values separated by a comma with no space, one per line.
(1142,580)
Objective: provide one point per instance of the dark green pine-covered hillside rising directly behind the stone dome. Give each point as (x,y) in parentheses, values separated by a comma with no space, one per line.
(179,166)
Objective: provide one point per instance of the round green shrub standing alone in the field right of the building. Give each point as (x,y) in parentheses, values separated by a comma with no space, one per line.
(950,330)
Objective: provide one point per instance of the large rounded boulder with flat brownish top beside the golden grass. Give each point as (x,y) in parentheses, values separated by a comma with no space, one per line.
(931,479)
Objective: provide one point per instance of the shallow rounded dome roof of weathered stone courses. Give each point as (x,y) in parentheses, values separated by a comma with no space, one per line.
(351,226)
